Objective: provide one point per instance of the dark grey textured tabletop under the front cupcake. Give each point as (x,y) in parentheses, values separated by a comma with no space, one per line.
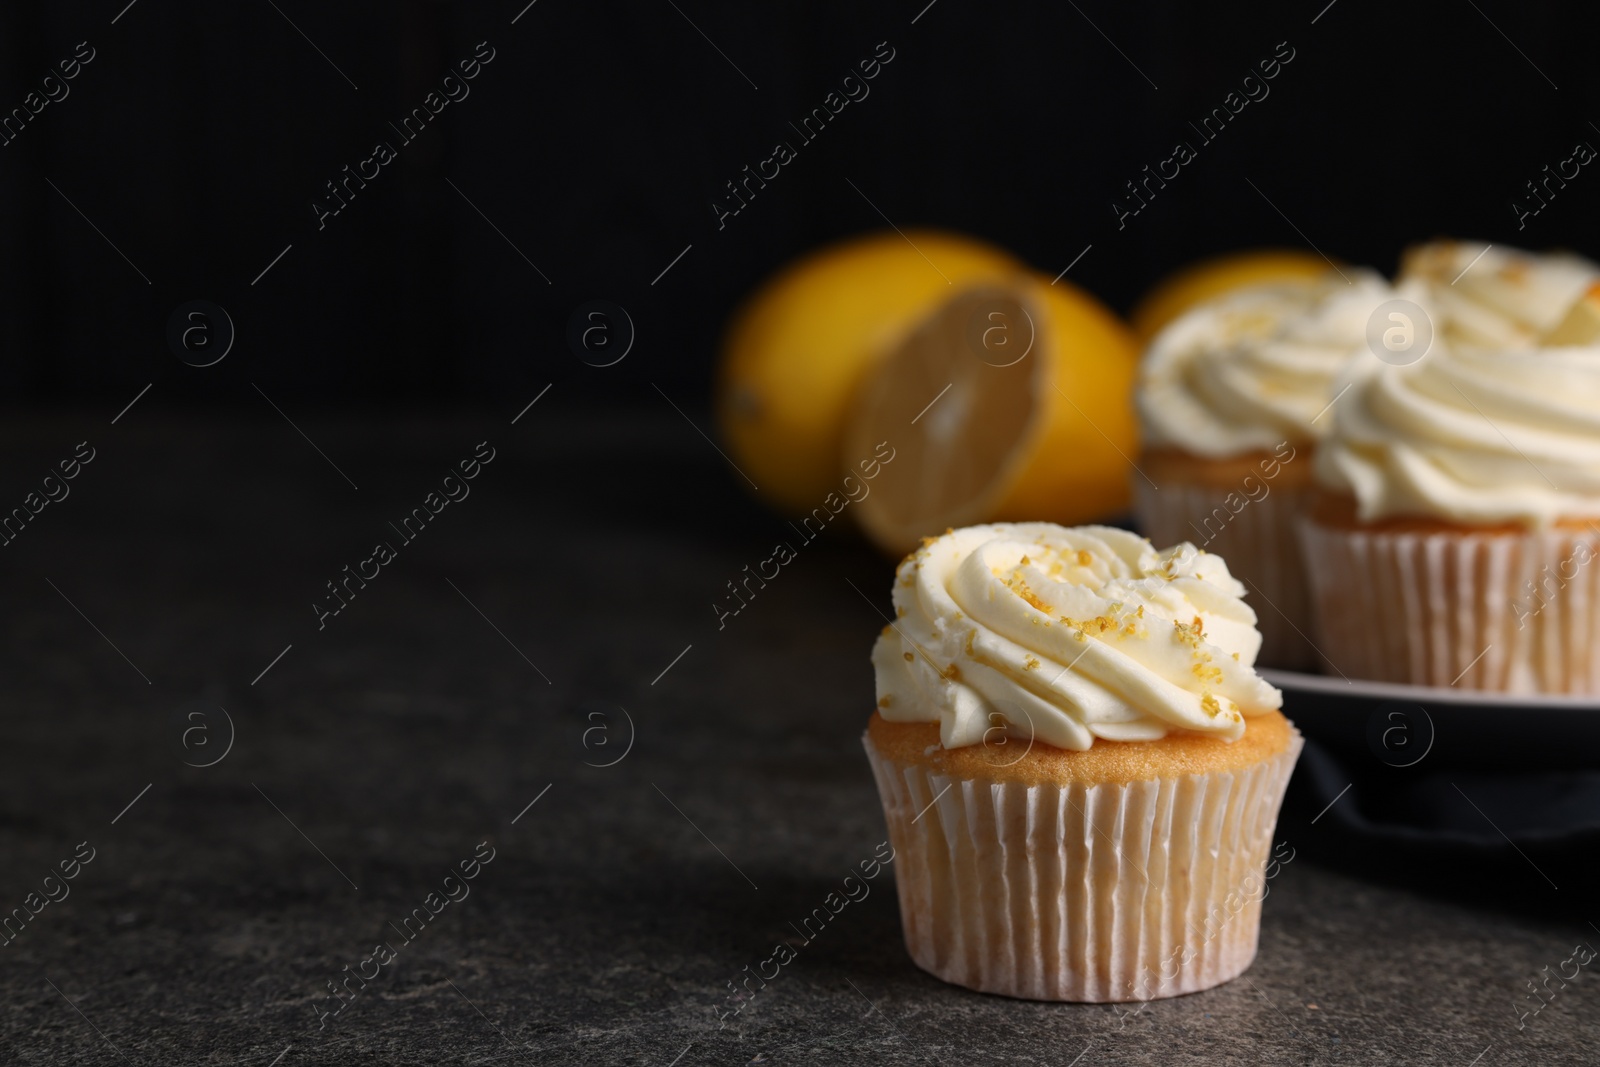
(570,593)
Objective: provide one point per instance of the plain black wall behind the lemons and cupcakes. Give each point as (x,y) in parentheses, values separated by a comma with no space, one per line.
(601,134)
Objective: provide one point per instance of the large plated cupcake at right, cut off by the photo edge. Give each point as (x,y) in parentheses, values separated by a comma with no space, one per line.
(1460,522)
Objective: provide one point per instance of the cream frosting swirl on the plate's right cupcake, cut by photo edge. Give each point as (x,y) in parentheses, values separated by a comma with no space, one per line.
(1471,436)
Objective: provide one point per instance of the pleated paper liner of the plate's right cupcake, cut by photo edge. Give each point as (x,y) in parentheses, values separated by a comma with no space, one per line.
(1506,612)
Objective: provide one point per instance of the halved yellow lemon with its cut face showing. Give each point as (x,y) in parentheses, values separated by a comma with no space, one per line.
(1012,401)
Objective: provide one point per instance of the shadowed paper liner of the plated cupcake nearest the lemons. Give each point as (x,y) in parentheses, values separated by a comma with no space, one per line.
(1262,549)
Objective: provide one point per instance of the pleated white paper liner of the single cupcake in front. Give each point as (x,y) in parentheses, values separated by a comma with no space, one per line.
(1087,893)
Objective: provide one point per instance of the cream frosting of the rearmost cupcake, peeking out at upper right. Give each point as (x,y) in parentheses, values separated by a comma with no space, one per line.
(1494,297)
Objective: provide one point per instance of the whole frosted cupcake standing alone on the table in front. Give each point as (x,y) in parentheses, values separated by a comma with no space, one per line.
(1079,765)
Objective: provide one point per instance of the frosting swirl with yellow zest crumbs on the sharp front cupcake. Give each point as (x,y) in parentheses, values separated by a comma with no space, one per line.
(1066,636)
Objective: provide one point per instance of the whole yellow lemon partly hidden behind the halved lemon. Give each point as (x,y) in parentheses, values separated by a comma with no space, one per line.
(796,353)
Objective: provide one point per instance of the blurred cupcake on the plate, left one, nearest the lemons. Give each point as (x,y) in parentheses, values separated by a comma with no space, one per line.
(1233,398)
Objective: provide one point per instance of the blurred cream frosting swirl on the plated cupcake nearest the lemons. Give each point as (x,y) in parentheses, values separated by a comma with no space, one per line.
(1254,369)
